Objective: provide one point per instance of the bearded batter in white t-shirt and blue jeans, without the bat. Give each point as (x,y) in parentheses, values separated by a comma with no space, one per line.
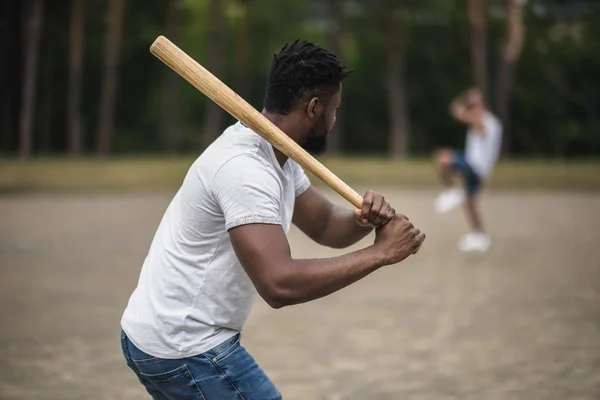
(222,240)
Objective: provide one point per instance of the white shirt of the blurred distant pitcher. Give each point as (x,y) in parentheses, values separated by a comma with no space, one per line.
(482,150)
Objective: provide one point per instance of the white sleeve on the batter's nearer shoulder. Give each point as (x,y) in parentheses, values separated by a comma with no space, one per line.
(247,193)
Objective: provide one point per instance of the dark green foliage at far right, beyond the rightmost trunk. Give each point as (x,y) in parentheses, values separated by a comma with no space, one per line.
(555,107)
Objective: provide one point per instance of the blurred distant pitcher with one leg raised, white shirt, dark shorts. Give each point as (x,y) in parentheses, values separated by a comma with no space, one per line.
(475,165)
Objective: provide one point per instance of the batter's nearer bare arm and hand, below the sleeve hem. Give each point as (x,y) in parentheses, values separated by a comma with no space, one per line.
(264,253)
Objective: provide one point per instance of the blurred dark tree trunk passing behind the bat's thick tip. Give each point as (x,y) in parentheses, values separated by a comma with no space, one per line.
(171,127)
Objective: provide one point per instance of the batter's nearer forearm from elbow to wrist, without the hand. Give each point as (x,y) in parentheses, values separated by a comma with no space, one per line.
(309,279)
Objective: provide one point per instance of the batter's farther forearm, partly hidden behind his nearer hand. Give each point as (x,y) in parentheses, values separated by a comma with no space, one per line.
(341,229)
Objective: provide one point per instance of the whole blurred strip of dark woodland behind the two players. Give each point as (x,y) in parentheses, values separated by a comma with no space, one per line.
(77,77)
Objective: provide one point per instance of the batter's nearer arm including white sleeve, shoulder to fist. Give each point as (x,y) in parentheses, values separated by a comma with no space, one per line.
(248,196)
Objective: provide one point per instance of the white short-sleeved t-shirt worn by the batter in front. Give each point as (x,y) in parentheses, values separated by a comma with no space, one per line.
(192,292)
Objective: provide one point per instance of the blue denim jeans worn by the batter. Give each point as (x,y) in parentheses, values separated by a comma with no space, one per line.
(225,372)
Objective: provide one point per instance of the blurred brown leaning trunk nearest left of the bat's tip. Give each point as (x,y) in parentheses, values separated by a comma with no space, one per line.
(109,85)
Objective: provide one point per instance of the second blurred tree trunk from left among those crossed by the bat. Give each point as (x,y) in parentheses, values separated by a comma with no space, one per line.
(214,117)
